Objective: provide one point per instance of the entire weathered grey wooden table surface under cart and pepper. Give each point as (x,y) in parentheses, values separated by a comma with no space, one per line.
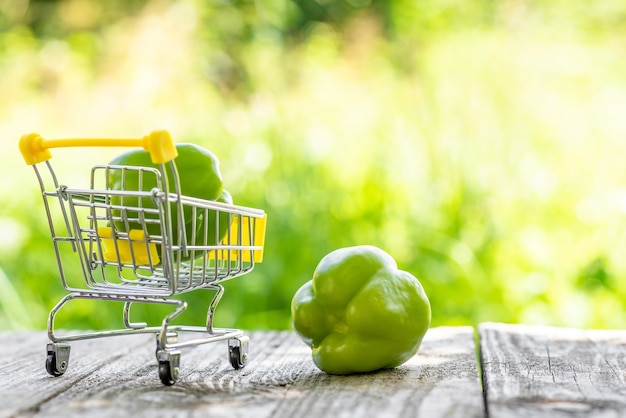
(526,371)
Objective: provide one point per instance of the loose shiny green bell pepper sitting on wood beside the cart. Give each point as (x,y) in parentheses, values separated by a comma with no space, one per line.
(360,313)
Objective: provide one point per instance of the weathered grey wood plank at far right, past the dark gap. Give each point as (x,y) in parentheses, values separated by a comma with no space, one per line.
(553,372)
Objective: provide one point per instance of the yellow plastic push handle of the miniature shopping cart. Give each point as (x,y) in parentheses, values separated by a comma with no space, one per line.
(159,144)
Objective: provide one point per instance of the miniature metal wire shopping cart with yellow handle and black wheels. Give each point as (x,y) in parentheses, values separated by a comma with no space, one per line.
(124,245)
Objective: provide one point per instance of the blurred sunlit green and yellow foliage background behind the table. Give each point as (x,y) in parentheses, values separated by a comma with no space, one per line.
(480,143)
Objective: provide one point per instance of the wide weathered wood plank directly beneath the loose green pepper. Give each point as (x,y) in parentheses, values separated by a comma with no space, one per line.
(280,380)
